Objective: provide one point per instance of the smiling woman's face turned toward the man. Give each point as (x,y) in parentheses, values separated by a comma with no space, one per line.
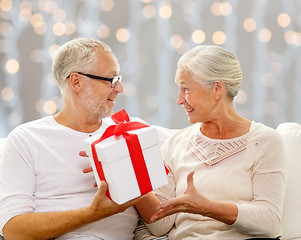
(198,101)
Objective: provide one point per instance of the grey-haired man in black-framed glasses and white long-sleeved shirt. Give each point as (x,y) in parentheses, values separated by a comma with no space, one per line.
(44,193)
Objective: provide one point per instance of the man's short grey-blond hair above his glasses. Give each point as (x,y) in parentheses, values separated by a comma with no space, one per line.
(77,55)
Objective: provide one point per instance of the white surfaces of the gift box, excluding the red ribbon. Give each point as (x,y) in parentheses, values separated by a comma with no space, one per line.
(117,166)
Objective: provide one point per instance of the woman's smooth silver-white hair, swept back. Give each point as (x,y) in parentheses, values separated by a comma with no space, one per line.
(209,64)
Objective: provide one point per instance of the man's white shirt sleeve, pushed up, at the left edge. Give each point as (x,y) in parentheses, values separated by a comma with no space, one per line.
(17,178)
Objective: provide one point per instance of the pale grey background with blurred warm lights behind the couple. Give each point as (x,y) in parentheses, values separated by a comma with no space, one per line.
(148,37)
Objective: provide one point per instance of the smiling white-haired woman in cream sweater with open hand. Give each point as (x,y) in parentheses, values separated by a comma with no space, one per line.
(227,177)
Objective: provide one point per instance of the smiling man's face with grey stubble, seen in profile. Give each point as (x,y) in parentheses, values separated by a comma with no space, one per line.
(98,97)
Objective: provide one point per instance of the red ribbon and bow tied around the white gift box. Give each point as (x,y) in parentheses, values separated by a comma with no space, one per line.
(122,120)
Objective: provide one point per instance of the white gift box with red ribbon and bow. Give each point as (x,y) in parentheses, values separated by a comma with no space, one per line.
(127,156)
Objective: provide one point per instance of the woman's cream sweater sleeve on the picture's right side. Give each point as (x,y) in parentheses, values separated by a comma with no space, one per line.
(262,215)
